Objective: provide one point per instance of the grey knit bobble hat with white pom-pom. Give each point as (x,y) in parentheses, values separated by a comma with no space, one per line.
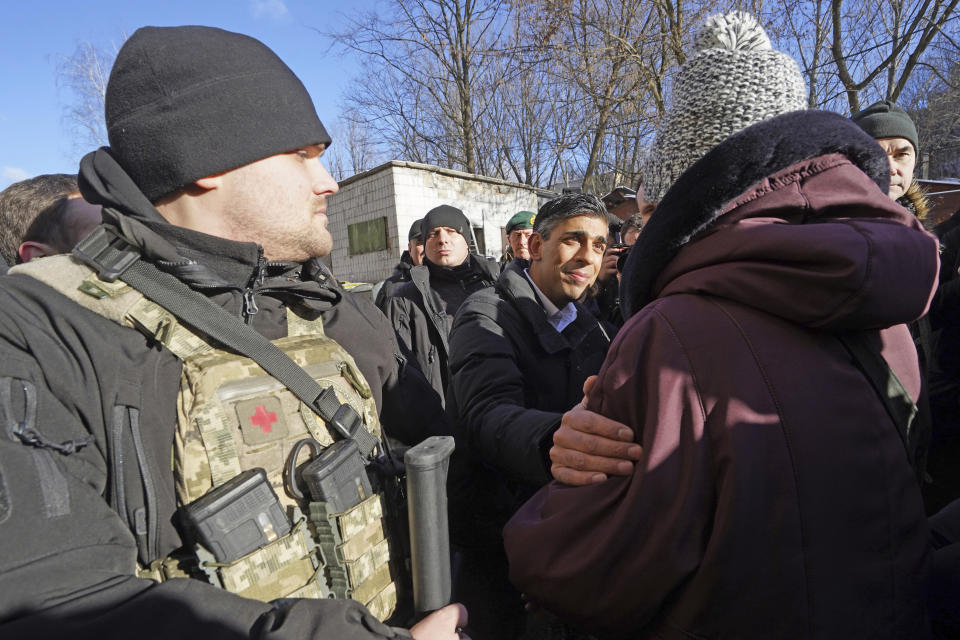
(733,79)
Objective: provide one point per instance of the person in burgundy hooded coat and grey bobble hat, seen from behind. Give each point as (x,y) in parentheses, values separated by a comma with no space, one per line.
(774,497)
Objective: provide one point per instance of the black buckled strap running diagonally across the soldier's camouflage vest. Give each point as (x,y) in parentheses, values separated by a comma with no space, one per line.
(112,257)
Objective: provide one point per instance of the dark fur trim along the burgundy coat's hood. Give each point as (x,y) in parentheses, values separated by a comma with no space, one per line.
(699,195)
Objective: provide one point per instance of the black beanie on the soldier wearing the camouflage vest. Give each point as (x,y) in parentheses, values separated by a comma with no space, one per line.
(184,103)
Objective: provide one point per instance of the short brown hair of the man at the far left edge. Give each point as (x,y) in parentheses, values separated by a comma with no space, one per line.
(23,201)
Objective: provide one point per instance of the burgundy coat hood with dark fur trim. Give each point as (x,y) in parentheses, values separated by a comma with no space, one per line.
(790,215)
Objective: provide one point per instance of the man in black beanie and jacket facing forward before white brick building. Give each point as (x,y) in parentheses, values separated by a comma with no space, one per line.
(422,310)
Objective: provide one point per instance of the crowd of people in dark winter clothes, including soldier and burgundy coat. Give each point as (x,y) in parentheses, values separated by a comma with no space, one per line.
(731,412)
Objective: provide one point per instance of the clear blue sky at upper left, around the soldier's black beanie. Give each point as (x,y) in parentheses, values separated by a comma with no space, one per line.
(34,137)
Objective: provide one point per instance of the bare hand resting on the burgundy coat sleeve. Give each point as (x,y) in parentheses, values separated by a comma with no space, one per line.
(589,447)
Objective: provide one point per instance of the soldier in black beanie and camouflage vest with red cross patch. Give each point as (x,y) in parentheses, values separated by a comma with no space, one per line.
(212,189)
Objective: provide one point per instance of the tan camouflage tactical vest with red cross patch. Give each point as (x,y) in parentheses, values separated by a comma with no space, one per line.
(232,416)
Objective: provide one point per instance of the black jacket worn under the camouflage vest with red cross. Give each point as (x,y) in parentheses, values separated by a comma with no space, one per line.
(84,400)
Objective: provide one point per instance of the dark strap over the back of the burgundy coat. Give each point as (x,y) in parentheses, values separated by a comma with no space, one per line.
(898,403)
